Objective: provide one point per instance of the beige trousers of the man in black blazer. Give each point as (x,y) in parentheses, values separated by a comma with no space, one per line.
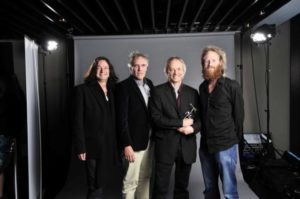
(136,183)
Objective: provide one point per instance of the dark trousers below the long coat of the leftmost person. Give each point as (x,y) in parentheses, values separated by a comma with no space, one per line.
(95,186)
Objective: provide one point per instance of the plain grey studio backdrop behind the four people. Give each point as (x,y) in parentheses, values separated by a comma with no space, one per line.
(159,48)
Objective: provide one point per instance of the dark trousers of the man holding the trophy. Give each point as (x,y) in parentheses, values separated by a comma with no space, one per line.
(162,178)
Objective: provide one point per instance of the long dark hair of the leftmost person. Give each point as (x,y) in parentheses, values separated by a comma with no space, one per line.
(91,74)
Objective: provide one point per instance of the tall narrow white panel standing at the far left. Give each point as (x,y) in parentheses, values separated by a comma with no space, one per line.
(33,120)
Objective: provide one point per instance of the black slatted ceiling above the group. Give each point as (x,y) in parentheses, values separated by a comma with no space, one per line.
(41,19)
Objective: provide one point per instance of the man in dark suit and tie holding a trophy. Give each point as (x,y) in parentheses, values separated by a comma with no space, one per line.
(173,107)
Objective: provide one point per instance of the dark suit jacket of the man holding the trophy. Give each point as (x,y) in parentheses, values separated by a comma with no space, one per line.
(167,118)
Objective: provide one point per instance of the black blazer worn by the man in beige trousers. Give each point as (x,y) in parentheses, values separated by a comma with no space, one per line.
(133,118)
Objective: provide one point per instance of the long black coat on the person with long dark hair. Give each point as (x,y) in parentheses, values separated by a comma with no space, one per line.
(94,122)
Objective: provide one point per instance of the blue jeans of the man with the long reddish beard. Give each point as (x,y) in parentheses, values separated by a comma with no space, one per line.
(223,164)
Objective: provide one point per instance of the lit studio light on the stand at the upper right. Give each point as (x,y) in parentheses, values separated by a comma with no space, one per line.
(263,33)
